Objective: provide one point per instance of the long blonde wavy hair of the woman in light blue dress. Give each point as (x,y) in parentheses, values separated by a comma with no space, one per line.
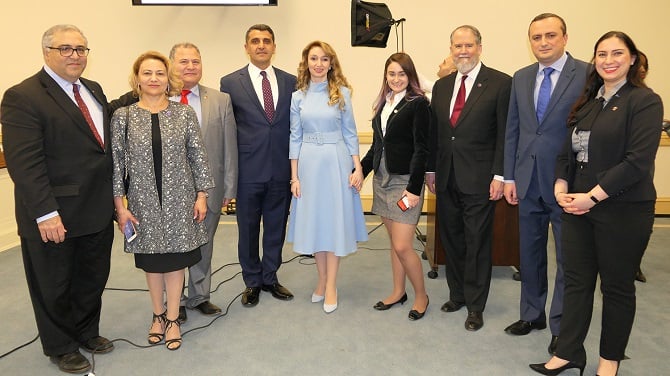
(334,76)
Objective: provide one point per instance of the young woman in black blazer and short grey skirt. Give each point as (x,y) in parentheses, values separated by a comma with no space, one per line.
(398,157)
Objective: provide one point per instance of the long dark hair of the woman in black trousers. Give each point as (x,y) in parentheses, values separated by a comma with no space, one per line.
(594,81)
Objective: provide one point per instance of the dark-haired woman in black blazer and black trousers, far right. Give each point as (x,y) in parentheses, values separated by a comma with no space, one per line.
(604,183)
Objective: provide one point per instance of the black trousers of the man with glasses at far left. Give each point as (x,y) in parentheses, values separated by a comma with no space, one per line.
(65,282)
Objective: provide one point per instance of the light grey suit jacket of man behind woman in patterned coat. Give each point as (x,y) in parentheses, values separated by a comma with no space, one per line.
(219,134)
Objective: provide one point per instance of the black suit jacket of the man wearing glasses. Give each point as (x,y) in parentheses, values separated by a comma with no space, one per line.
(54,159)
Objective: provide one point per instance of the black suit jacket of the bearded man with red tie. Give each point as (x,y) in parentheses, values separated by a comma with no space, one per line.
(475,144)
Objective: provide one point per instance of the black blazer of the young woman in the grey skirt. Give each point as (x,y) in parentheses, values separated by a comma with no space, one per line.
(404,145)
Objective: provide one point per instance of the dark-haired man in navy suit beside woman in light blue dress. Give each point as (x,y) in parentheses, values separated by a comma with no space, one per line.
(261,96)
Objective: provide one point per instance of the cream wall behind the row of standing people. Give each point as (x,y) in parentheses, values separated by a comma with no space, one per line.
(118,32)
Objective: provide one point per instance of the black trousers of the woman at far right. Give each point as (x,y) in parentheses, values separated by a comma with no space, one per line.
(608,241)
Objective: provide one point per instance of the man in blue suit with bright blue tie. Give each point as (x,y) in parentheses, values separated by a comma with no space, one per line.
(536,130)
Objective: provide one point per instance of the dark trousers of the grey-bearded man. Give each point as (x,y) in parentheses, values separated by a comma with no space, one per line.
(466,230)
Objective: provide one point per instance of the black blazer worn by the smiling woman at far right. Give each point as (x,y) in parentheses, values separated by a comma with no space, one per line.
(622,146)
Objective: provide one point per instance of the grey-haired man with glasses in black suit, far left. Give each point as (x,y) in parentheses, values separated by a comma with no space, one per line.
(55,128)
